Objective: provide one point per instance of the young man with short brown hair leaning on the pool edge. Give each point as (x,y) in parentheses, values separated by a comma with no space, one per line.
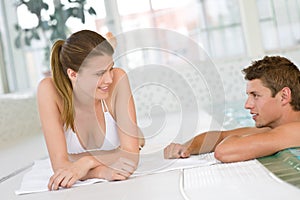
(273,90)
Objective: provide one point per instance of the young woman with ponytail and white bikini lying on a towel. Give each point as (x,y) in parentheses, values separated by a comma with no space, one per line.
(87,113)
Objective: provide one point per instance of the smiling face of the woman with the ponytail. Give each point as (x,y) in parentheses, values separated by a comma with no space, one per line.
(95,77)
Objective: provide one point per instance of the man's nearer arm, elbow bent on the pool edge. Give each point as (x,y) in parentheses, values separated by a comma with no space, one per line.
(245,147)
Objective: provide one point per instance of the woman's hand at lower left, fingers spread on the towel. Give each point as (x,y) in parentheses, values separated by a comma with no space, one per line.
(70,173)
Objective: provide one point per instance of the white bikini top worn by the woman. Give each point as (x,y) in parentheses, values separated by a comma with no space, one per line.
(111,140)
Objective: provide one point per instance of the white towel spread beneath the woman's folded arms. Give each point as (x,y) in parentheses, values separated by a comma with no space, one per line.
(36,180)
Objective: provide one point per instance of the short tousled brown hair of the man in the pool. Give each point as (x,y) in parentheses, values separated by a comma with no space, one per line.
(276,72)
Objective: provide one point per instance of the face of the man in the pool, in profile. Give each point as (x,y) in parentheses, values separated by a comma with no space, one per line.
(265,109)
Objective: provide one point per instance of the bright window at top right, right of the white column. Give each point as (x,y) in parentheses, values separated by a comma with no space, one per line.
(280,23)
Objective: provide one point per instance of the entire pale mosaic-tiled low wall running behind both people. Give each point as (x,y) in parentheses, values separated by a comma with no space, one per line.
(155,91)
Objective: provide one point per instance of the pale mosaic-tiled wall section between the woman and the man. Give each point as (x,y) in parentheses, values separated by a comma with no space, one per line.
(186,88)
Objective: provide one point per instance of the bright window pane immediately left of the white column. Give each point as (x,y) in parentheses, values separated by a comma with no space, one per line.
(220,28)
